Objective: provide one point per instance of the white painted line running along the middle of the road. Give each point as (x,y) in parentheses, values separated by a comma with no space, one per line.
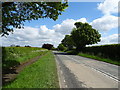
(100,71)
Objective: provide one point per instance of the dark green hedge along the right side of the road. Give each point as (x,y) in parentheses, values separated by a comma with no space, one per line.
(107,51)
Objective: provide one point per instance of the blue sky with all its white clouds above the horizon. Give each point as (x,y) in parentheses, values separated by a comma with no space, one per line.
(103,16)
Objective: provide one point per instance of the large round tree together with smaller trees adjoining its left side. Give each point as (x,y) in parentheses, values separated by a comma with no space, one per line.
(83,34)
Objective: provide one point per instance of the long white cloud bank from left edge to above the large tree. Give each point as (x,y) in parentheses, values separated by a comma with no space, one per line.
(38,36)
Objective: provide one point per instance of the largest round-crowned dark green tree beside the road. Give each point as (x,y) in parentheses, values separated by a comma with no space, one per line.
(84,35)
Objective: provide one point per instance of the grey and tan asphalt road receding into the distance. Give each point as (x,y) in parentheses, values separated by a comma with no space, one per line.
(80,72)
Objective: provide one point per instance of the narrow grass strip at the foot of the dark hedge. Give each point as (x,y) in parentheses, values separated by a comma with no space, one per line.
(99,58)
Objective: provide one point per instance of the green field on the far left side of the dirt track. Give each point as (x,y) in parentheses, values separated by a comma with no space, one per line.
(13,56)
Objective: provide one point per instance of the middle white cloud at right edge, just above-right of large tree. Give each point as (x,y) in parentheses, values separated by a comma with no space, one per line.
(105,23)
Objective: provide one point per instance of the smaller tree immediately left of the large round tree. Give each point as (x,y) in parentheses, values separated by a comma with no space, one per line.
(68,42)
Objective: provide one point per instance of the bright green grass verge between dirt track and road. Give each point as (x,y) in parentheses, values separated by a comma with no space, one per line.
(41,74)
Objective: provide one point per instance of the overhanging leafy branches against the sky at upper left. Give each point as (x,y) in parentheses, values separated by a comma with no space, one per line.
(15,13)
